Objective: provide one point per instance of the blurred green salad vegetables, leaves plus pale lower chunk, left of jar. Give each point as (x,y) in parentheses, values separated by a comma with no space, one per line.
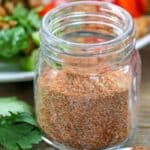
(16,40)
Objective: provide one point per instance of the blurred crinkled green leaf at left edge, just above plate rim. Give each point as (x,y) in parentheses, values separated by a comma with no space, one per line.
(12,41)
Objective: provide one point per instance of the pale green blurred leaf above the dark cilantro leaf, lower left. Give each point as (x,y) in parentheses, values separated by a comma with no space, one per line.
(12,104)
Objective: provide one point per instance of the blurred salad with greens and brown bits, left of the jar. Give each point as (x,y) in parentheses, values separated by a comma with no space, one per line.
(19,25)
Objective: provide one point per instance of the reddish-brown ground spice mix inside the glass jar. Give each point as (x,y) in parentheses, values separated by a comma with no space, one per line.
(84,111)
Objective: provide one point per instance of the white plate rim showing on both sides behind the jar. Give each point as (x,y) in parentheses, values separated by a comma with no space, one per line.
(18,76)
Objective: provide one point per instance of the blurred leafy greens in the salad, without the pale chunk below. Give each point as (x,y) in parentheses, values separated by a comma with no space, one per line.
(16,39)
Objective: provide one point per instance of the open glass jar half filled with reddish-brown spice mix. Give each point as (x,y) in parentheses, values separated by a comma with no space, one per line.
(87,76)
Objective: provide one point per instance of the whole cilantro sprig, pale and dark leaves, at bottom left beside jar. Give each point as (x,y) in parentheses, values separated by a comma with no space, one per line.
(18,128)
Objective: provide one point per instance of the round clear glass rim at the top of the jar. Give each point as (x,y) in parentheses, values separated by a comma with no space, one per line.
(129,25)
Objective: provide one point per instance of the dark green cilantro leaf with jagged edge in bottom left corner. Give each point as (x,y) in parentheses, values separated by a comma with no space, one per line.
(19,136)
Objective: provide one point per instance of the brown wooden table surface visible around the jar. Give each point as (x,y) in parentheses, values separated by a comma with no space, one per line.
(25,92)
